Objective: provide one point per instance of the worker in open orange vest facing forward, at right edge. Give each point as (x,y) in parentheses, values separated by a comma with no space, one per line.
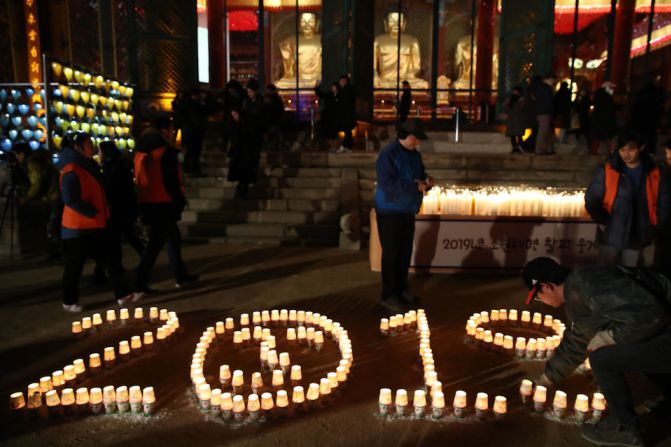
(630,200)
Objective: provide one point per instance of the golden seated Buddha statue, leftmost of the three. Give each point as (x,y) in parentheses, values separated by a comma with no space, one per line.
(309,55)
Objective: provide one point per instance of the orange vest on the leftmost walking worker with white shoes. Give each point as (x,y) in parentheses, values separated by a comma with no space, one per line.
(91,192)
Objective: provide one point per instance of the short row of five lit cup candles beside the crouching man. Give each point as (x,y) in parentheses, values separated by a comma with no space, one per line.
(581,408)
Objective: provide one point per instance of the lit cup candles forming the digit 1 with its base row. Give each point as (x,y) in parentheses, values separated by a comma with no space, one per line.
(398,407)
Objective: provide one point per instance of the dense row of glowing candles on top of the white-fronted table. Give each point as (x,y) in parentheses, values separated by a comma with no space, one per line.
(504,201)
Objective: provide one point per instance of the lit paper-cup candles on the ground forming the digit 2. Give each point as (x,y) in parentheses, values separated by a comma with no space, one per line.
(57,392)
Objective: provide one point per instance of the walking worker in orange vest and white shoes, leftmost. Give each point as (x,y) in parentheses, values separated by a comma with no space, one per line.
(84,221)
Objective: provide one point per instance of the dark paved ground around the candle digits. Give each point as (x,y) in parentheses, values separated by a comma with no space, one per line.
(35,340)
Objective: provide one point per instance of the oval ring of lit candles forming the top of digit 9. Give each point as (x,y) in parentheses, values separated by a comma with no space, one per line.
(533,348)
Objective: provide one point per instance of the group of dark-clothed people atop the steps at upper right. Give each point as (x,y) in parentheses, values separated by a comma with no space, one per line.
(554,115)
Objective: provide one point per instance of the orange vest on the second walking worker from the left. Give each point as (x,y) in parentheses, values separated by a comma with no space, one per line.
(149,177)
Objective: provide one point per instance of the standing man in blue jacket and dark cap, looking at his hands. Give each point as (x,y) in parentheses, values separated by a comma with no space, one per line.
(401,182)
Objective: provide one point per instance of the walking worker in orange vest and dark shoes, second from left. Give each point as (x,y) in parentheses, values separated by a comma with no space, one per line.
(160,192)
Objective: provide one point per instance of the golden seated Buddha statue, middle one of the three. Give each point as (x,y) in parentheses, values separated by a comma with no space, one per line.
(387,59)
